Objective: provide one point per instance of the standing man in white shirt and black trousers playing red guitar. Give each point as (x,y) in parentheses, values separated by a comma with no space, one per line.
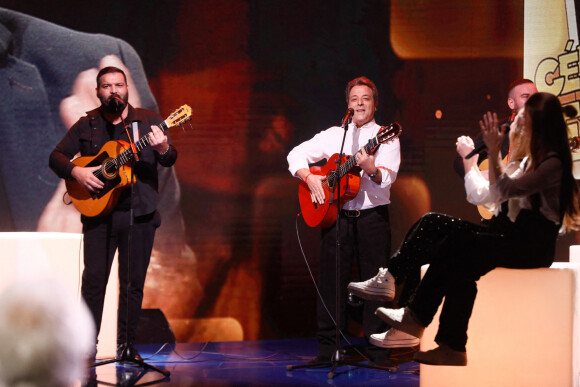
(365,233)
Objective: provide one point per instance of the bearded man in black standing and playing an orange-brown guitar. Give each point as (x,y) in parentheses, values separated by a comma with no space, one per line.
(116,123)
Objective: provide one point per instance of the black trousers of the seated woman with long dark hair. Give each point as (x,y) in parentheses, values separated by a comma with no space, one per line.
(459,253)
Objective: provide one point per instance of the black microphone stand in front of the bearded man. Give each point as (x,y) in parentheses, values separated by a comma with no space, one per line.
(127,355)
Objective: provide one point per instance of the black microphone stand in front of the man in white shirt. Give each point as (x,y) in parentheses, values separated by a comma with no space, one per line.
(338,359)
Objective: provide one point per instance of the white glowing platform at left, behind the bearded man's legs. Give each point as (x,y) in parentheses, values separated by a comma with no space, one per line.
(30,254)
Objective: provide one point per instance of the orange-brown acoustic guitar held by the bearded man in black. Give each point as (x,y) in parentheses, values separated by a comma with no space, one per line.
(115,170)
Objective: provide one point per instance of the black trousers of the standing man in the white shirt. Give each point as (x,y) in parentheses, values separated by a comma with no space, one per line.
(366,239)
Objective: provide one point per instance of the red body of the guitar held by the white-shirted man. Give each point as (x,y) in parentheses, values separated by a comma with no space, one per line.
(324,215)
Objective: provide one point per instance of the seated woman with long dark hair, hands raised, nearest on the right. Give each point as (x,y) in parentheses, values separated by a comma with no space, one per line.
(540,202)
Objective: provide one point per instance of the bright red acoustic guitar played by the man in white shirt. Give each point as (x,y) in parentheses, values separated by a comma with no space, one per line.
(324,215)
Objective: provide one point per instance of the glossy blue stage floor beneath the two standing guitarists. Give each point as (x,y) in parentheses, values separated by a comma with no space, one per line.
(246,363)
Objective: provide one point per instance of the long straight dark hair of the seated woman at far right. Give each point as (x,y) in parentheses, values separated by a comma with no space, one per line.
(550,134)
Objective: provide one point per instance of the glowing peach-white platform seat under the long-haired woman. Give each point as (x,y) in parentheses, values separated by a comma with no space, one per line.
(524,331)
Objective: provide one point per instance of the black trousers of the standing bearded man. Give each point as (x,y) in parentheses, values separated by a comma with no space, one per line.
(102,237)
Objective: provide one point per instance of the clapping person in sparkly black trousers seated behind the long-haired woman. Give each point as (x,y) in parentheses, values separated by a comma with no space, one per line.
(423,239)
